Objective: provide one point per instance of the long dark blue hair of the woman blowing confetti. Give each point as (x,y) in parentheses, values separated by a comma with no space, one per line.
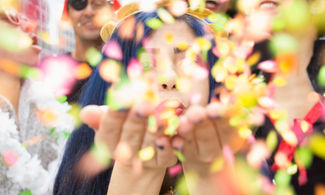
(67,182)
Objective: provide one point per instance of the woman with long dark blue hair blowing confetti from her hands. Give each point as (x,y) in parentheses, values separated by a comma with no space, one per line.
(151,59)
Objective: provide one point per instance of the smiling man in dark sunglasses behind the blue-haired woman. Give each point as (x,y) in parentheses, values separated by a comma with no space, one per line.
(87,18)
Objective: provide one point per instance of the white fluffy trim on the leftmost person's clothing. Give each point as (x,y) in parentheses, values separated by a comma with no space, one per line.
(28,171)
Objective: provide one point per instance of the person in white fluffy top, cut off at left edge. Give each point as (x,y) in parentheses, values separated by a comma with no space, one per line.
(29,149)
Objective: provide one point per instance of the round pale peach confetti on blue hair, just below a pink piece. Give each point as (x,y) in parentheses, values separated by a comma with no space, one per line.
(110,70)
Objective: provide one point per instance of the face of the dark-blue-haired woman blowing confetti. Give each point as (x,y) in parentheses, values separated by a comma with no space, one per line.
(169,64)
